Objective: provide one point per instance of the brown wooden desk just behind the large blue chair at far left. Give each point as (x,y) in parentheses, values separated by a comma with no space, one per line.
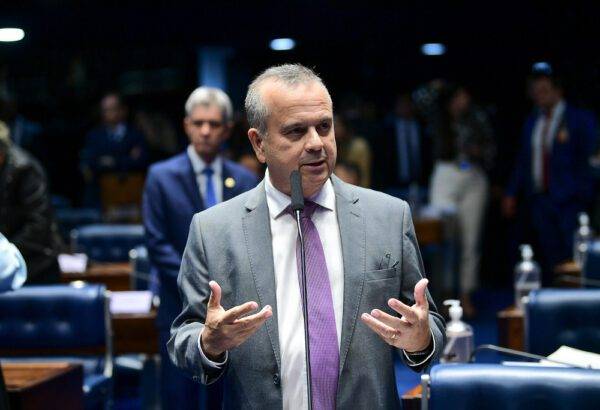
(116,276)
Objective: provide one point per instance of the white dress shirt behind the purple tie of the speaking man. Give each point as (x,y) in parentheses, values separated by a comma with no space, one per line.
(284,233)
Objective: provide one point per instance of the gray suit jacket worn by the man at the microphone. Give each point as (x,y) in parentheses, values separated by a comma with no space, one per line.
(231,243)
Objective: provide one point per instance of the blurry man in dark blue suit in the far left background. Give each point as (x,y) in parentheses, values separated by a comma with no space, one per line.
(115,146)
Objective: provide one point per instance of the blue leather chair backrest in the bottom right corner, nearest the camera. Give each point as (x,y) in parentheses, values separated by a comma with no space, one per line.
(495,387)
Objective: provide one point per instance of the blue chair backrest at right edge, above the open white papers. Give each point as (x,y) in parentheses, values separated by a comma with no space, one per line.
(556,317)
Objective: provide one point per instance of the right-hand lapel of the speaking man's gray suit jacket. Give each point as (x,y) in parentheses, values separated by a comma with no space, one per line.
(353,234)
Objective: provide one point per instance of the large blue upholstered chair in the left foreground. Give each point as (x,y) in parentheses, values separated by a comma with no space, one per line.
(61,323)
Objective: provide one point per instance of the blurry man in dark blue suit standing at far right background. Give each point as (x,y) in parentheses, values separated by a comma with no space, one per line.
(552,177)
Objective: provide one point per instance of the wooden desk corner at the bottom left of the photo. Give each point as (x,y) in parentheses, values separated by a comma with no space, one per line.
(44,385)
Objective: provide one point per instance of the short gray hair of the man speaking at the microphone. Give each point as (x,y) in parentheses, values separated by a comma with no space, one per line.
(290,75)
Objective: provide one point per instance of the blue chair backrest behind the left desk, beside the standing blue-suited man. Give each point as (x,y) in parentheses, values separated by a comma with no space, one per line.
(107,243)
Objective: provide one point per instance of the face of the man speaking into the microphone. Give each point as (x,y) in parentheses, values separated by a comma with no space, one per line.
(300,135)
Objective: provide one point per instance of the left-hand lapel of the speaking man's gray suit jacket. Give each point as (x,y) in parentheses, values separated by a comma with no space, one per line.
(257,235)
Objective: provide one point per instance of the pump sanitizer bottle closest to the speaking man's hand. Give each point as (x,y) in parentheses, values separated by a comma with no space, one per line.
(459,343)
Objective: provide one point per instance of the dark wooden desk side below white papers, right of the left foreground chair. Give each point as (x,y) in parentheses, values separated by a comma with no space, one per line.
(135,333)
